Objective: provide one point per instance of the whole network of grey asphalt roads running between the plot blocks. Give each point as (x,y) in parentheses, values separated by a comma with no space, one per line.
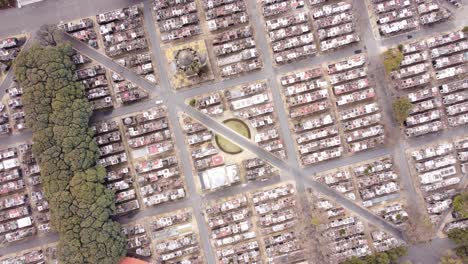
(64,10)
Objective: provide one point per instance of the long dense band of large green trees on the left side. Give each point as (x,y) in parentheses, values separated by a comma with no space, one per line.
(58,113)
